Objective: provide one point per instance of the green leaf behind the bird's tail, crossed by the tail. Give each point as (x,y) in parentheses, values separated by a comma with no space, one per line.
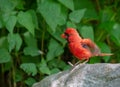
(104,49)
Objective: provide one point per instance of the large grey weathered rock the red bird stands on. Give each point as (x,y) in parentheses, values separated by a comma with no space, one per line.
(85,75)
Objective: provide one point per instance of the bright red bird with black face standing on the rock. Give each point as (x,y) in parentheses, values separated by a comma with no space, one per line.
(83,49)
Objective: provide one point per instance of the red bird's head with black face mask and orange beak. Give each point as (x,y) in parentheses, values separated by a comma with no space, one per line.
(69,32)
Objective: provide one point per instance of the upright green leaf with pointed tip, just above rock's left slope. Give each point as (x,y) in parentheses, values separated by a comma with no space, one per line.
(43,67)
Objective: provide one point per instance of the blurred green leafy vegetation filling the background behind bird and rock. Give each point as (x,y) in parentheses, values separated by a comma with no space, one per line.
(31,46)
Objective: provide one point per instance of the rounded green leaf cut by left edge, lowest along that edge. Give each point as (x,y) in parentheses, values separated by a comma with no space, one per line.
(4,56)
